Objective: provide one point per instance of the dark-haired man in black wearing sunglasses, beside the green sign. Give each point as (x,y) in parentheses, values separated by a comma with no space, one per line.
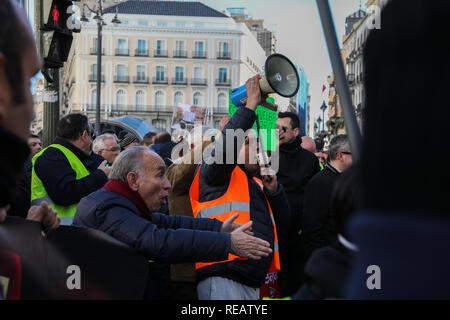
(296,168)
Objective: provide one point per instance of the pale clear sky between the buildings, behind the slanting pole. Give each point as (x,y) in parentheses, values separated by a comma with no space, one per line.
(299,34)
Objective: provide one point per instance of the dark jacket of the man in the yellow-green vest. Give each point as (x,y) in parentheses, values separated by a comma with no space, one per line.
(59,179)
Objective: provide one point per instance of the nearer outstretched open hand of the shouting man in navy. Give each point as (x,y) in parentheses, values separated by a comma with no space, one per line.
(247,246)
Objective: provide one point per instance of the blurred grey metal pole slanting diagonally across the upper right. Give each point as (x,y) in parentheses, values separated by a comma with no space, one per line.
(329,31)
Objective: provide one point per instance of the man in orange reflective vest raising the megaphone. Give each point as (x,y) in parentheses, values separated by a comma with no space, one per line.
(226,185)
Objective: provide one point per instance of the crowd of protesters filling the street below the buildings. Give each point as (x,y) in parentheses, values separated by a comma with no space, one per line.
(221,229)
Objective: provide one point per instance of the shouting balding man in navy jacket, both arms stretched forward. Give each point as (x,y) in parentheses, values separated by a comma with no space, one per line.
(126,208)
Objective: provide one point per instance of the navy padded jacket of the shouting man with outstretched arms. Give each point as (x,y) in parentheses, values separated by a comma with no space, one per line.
(166,238)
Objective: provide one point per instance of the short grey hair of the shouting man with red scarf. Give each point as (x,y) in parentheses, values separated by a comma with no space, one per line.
(127,161)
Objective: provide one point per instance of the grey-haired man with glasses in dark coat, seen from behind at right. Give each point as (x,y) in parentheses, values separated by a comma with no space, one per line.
(317,227)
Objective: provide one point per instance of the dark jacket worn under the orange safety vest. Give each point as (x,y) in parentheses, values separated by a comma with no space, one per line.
(214,182)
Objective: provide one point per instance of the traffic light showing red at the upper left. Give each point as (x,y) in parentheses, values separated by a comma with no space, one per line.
(61,22)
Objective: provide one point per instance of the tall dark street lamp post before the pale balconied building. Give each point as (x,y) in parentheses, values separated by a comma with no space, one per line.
(98,17)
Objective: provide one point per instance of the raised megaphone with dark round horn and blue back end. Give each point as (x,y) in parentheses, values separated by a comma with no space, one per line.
(280,77)
